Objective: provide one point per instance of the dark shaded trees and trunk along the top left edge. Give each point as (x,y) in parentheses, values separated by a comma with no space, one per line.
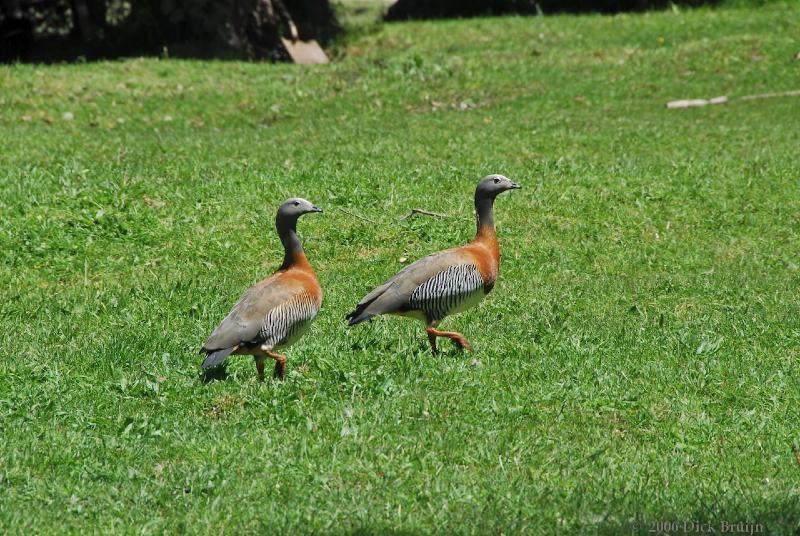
(200,28)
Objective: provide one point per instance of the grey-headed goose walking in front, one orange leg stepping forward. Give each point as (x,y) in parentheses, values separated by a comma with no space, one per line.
(446,282)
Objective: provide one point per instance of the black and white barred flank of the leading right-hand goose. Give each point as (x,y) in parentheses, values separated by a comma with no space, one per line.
(451,290)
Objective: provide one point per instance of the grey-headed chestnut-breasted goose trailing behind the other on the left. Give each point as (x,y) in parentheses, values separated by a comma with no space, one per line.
(275,312)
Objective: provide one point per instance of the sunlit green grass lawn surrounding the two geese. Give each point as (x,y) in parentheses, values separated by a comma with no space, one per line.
(636,363)
